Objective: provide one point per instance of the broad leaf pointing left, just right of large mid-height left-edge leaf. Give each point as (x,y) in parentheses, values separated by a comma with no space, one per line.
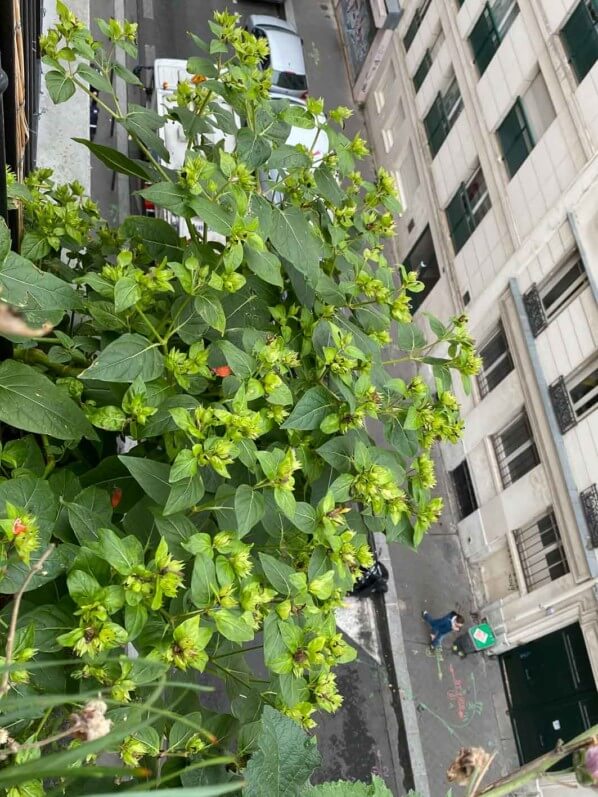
(126,358)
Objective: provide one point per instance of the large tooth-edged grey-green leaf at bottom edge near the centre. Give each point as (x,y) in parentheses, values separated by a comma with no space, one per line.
(286,758)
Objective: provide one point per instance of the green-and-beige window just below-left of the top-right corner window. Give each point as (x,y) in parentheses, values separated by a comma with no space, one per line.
(525,124)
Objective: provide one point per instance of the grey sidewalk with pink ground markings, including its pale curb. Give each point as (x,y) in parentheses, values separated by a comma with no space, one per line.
(447,702)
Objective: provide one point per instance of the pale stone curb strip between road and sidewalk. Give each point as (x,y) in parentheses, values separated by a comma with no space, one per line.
(399,659)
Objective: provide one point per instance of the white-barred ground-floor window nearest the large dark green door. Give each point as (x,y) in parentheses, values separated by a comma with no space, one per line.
(541,552)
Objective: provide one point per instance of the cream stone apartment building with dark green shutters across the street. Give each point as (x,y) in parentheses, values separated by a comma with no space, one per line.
(487,113)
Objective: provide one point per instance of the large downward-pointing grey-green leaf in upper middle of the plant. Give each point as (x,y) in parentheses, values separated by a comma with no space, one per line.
(295,239)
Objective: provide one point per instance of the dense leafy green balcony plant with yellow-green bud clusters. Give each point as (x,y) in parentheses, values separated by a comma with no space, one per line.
(241,372)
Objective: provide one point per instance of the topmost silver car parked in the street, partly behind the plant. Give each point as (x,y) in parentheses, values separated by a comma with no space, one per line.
(286,57)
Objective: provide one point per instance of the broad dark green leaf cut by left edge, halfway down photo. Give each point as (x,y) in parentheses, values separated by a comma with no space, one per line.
(29,401)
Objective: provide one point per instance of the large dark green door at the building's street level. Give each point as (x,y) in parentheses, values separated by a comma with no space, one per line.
(550,690)
